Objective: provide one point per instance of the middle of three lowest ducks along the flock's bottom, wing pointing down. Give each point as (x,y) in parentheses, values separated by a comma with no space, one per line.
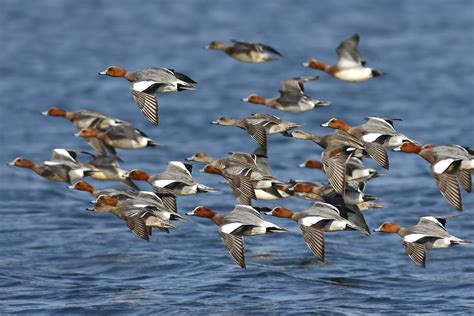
(314,222)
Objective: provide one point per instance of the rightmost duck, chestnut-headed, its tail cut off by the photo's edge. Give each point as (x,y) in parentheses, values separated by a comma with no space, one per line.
(445,166)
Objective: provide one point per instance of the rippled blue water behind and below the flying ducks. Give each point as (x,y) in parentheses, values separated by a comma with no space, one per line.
(58,258)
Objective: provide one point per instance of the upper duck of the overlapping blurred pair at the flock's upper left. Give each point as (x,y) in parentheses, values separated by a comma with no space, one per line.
(84,118)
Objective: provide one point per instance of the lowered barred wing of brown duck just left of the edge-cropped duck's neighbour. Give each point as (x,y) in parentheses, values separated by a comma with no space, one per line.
(334,164)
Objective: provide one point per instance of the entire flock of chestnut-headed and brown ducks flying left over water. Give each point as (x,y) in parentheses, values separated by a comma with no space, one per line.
(338,204)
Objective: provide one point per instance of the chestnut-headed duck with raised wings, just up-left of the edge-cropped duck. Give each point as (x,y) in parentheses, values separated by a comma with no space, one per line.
(377,129)
